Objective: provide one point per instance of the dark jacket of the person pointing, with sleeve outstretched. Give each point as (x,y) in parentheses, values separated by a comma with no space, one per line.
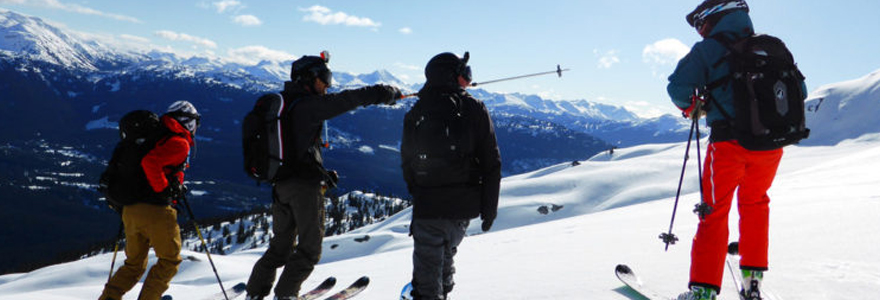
(302,127)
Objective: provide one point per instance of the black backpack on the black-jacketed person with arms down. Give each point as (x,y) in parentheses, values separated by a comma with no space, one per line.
(442,144)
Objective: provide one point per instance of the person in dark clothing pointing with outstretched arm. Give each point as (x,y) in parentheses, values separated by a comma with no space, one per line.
(298,190)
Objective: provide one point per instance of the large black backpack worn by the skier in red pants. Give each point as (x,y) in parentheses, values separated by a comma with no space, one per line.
(767,92)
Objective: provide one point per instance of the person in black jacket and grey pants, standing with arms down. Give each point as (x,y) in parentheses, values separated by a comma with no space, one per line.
(452,168)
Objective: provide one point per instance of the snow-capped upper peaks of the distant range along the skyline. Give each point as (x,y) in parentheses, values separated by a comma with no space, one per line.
(32,38)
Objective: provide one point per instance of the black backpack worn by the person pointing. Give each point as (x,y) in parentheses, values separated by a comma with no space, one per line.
(262,140)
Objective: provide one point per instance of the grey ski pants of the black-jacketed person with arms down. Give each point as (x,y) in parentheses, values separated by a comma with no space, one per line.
(436,242)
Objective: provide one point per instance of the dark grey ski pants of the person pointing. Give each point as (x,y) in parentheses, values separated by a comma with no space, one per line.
(298,228)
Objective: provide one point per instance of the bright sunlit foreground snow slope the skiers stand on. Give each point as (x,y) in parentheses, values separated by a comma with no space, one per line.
(824,236)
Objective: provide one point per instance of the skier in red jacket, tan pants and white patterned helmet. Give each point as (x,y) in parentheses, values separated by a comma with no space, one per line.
(154,223)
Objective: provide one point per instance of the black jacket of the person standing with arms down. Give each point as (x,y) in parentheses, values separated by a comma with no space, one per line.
(471,197)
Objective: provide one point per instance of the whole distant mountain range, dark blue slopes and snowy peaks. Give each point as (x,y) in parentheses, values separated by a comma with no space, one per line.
(61,96)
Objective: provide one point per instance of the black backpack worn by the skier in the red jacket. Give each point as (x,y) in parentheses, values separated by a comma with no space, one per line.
(124,181)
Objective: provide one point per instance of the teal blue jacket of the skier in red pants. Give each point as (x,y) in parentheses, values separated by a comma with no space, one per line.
(698,68)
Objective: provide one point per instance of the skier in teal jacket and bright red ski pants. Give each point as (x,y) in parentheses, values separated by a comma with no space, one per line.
(728,166)
